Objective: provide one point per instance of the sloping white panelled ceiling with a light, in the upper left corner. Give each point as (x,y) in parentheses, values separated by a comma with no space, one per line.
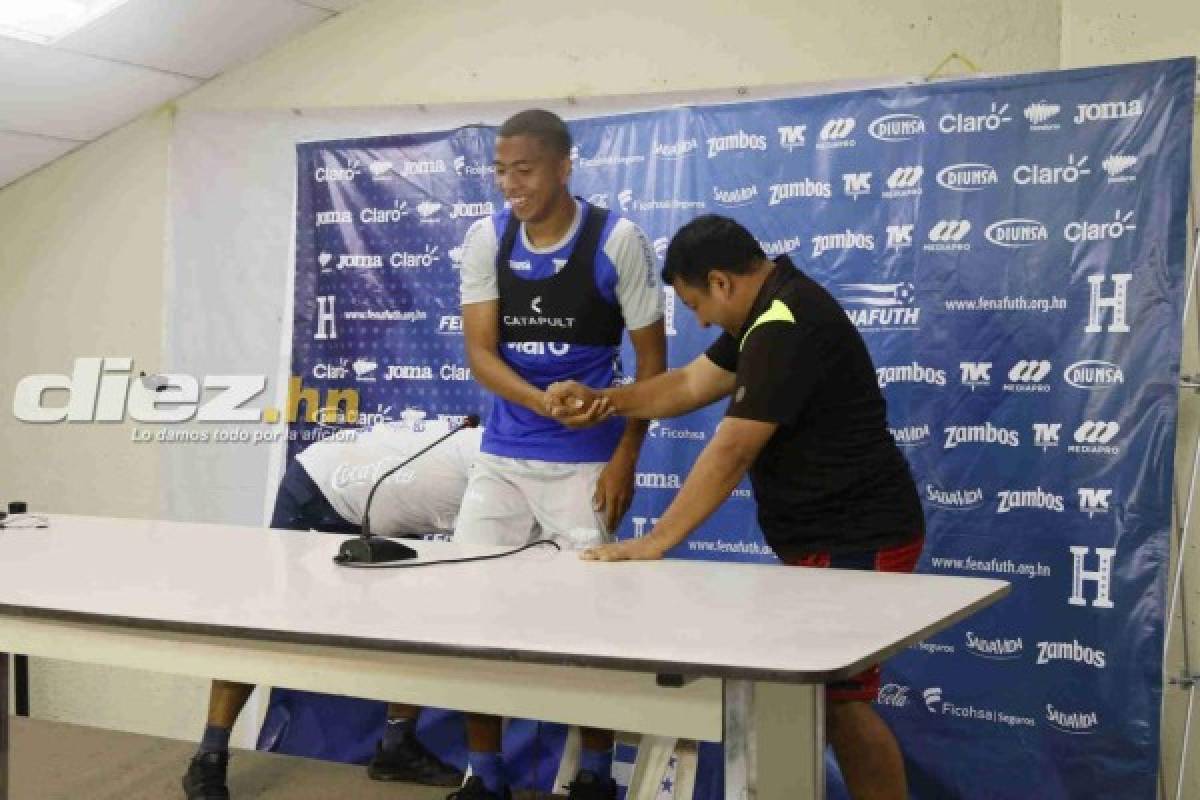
(56,98)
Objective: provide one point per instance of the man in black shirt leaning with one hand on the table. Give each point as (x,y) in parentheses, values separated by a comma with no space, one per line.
(807,420)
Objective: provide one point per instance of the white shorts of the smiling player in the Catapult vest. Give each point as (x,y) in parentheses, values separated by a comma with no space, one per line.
(512,502)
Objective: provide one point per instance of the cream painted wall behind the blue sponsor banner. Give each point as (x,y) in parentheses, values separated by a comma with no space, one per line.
(93,222)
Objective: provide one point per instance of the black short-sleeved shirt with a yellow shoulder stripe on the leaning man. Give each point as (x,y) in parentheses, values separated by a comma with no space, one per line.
(831,479)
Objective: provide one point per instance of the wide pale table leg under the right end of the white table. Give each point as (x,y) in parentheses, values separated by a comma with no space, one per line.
(775,742)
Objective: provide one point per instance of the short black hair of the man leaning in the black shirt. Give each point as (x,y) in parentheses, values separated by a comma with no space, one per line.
(711,243)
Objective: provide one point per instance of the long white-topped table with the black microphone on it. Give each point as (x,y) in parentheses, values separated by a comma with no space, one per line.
(685,649)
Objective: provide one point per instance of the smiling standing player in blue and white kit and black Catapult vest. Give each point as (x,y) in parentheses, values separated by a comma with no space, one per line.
(549,286)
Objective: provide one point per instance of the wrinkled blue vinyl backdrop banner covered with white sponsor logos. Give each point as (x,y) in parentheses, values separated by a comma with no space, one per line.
(1013,252)
